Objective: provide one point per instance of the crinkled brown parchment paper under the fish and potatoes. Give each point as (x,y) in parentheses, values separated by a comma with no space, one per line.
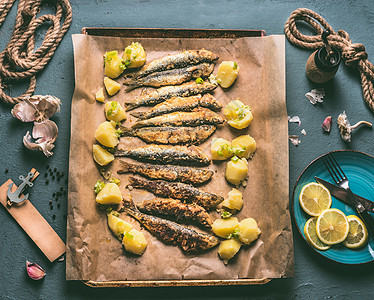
(93,253)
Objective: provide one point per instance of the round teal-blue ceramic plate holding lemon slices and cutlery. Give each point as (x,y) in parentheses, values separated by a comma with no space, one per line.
(359,168)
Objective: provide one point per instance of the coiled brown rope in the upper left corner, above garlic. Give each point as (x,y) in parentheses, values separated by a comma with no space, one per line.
(20,60)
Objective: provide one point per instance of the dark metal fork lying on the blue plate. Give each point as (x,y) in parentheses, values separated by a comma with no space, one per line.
(339,177)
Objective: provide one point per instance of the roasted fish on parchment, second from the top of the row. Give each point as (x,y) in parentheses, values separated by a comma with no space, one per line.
(170,77)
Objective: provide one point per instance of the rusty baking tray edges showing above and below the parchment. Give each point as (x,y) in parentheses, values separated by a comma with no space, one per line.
(173,33)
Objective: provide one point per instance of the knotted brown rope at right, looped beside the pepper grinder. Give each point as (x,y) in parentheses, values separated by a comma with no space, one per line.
(353,54)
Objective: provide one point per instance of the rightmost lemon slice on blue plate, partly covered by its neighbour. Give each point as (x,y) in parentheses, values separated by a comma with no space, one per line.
(358,234)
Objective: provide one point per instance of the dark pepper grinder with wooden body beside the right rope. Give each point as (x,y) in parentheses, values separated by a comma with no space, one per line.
(323,63)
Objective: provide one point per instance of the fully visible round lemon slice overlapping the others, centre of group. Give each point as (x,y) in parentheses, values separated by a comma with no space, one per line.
(332,226)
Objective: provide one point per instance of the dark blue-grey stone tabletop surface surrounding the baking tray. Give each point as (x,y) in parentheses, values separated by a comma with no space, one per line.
(315,277)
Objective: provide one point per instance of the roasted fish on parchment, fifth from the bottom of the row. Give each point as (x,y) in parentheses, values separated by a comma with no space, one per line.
(183,155)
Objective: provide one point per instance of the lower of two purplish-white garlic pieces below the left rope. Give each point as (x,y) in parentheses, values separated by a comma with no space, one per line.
(45,133)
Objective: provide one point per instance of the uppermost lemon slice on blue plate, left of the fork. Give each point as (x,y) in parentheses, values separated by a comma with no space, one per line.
(314,198)
